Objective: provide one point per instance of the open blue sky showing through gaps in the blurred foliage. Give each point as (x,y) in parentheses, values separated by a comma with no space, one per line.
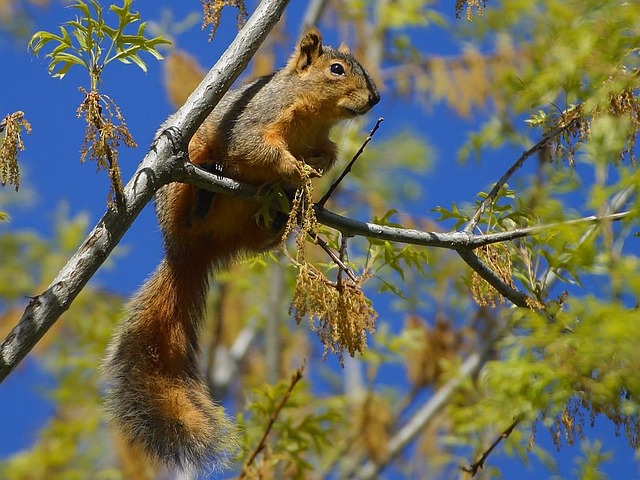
(54,175)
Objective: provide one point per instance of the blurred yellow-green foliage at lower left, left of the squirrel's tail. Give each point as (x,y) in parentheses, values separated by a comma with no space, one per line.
(71,444)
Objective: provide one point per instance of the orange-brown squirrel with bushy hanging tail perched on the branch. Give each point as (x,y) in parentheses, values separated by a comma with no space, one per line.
(259,134)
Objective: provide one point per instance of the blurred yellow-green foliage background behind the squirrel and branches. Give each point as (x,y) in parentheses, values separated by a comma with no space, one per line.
(516,71)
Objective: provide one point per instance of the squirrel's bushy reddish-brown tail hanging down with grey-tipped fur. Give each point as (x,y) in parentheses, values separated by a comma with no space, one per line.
(156,399)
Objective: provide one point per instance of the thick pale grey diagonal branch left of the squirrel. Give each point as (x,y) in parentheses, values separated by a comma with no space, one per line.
(160,166)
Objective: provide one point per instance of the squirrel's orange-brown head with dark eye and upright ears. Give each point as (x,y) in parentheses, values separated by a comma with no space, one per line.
(346,90)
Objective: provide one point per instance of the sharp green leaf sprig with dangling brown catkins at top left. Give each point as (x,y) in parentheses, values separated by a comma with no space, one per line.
(82,42)
